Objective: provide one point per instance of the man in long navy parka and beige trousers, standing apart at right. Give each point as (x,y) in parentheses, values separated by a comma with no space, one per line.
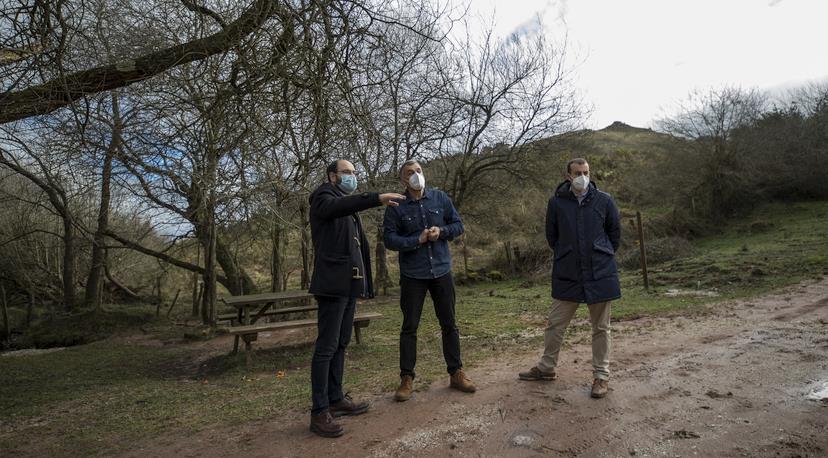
(583,229)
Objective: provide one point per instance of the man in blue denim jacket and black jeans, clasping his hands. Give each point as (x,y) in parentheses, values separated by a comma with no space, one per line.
(420,229)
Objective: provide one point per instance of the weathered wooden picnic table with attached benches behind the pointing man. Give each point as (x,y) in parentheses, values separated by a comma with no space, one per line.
(243,323)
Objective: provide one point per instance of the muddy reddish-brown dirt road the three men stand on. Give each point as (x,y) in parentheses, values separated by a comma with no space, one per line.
(735,382)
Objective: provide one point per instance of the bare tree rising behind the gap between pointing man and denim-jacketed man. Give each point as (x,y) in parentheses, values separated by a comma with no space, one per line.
(395,104)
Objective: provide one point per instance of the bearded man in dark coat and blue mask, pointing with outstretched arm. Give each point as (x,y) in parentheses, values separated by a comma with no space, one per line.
(341,274)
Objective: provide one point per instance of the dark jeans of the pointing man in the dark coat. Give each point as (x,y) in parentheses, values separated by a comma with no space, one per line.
(335,319)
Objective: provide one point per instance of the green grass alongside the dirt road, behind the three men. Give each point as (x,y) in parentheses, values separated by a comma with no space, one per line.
(98,398)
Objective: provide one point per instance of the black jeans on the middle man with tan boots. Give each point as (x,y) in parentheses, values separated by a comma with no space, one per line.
(412,297)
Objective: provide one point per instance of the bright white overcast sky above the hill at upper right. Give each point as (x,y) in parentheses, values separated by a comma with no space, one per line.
(638,57)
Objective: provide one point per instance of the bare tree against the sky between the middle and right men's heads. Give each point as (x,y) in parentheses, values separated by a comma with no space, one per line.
(505,94)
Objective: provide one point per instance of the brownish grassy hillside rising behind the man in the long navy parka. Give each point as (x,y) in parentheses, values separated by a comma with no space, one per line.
(634,165)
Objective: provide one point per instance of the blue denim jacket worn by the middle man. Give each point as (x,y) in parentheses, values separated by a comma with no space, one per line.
(402,226)
